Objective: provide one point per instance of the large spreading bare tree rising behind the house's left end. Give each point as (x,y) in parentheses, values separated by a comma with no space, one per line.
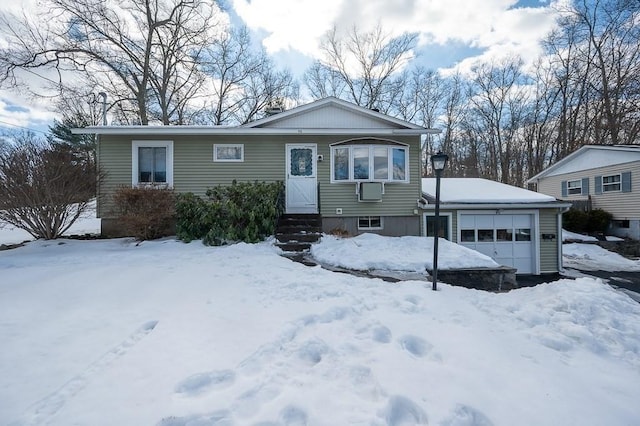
(142,53)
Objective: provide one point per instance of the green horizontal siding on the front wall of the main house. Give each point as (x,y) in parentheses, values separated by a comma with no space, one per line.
(264,160)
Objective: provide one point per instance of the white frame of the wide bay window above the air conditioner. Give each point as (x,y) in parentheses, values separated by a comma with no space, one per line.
(371,148)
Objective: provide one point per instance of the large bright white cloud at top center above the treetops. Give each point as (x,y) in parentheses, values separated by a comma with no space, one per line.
(494,26)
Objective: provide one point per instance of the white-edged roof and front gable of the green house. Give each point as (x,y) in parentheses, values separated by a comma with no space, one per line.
(326,116)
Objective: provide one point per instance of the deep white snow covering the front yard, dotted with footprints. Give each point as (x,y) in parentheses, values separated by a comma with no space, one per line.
(111,332)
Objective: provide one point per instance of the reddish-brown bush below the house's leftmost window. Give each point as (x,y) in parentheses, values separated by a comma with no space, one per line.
(145,212)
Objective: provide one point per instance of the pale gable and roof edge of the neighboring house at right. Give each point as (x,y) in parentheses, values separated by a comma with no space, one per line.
(591,157)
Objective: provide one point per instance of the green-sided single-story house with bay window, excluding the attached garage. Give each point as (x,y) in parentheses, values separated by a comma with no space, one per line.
(359,169)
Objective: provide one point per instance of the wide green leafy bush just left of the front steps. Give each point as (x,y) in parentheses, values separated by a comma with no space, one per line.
(242,211)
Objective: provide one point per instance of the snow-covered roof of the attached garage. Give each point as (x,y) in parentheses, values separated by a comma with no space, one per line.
(480,191)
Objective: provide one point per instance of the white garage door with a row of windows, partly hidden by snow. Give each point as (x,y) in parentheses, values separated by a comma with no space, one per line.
(506,238)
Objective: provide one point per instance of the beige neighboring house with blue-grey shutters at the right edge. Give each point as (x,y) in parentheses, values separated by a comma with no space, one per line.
(605,177)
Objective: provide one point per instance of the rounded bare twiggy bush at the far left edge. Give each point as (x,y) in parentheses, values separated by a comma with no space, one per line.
(43,188)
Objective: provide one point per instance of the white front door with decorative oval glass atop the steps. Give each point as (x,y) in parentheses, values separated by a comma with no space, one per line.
(302,179)
